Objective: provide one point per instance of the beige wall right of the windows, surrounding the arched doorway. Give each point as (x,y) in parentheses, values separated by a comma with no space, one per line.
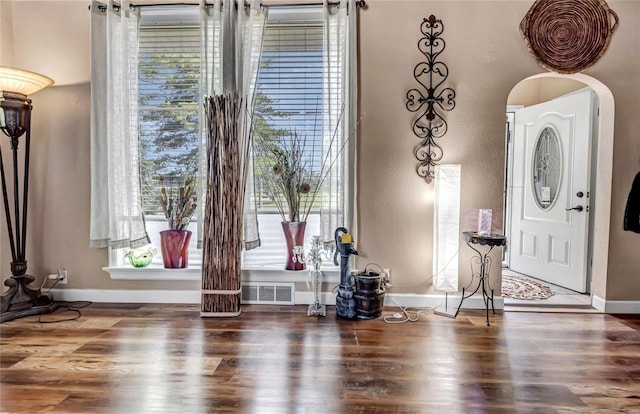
(486,60)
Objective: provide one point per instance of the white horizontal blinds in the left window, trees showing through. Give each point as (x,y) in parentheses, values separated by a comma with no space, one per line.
(169,76)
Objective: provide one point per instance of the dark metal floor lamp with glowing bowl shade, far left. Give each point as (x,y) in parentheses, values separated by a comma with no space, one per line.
(20,299)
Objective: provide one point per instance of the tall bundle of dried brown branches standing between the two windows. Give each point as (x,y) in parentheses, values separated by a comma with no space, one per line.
(227,165)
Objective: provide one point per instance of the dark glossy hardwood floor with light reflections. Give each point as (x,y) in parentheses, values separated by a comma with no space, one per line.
(166,359)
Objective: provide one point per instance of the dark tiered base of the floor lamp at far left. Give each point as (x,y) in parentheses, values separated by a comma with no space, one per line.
(21,300)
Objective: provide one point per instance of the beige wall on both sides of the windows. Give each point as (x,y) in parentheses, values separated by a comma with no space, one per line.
(486,57)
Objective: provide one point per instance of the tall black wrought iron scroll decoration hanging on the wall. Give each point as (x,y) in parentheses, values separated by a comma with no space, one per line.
(431,74)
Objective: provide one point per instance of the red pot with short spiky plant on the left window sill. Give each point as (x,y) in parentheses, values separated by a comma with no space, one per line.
(178,205)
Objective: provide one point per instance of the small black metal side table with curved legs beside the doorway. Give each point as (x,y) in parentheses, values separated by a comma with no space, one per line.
(484,262)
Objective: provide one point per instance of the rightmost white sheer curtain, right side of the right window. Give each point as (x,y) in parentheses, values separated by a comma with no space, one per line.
(339,117)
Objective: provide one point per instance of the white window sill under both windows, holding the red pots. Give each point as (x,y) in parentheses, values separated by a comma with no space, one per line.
(156,272)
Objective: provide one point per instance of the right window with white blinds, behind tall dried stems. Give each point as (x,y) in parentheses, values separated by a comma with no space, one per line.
(288,101)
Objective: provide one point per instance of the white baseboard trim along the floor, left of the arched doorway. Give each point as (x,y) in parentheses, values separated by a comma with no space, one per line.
(300,298)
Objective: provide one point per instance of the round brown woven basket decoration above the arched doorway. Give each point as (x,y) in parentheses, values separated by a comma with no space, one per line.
(568,36)
